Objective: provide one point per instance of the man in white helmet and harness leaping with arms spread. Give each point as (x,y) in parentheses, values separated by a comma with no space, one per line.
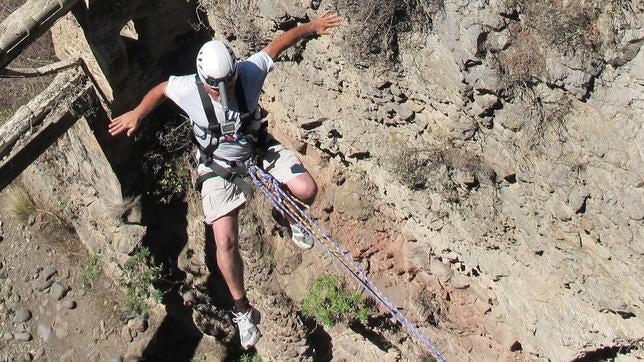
(221,102)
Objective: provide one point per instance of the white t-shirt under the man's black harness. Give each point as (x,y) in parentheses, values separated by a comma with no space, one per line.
(182,90)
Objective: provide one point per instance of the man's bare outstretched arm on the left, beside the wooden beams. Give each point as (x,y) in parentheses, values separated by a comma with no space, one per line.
(131,121)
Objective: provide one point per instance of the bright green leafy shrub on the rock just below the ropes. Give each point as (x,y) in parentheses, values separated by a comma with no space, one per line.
(329,303)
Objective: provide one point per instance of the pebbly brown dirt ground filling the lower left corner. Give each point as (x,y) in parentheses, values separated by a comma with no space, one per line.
(34,324)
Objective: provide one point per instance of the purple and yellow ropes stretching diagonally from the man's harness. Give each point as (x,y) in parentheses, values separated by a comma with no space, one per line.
(288,205)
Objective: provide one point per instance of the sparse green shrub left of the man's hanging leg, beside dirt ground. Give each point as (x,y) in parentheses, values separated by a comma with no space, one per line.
(138,275)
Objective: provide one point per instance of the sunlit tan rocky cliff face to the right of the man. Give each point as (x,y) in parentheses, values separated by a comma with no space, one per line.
(529,214)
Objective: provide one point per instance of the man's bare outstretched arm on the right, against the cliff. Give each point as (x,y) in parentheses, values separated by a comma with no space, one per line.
(319,26)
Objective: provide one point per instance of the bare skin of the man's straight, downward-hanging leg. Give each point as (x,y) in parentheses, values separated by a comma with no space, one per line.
(226,230)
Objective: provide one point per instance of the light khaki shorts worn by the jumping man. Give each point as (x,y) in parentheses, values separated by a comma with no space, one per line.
(219,197)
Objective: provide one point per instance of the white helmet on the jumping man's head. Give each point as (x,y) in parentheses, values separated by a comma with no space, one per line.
(216,64)
